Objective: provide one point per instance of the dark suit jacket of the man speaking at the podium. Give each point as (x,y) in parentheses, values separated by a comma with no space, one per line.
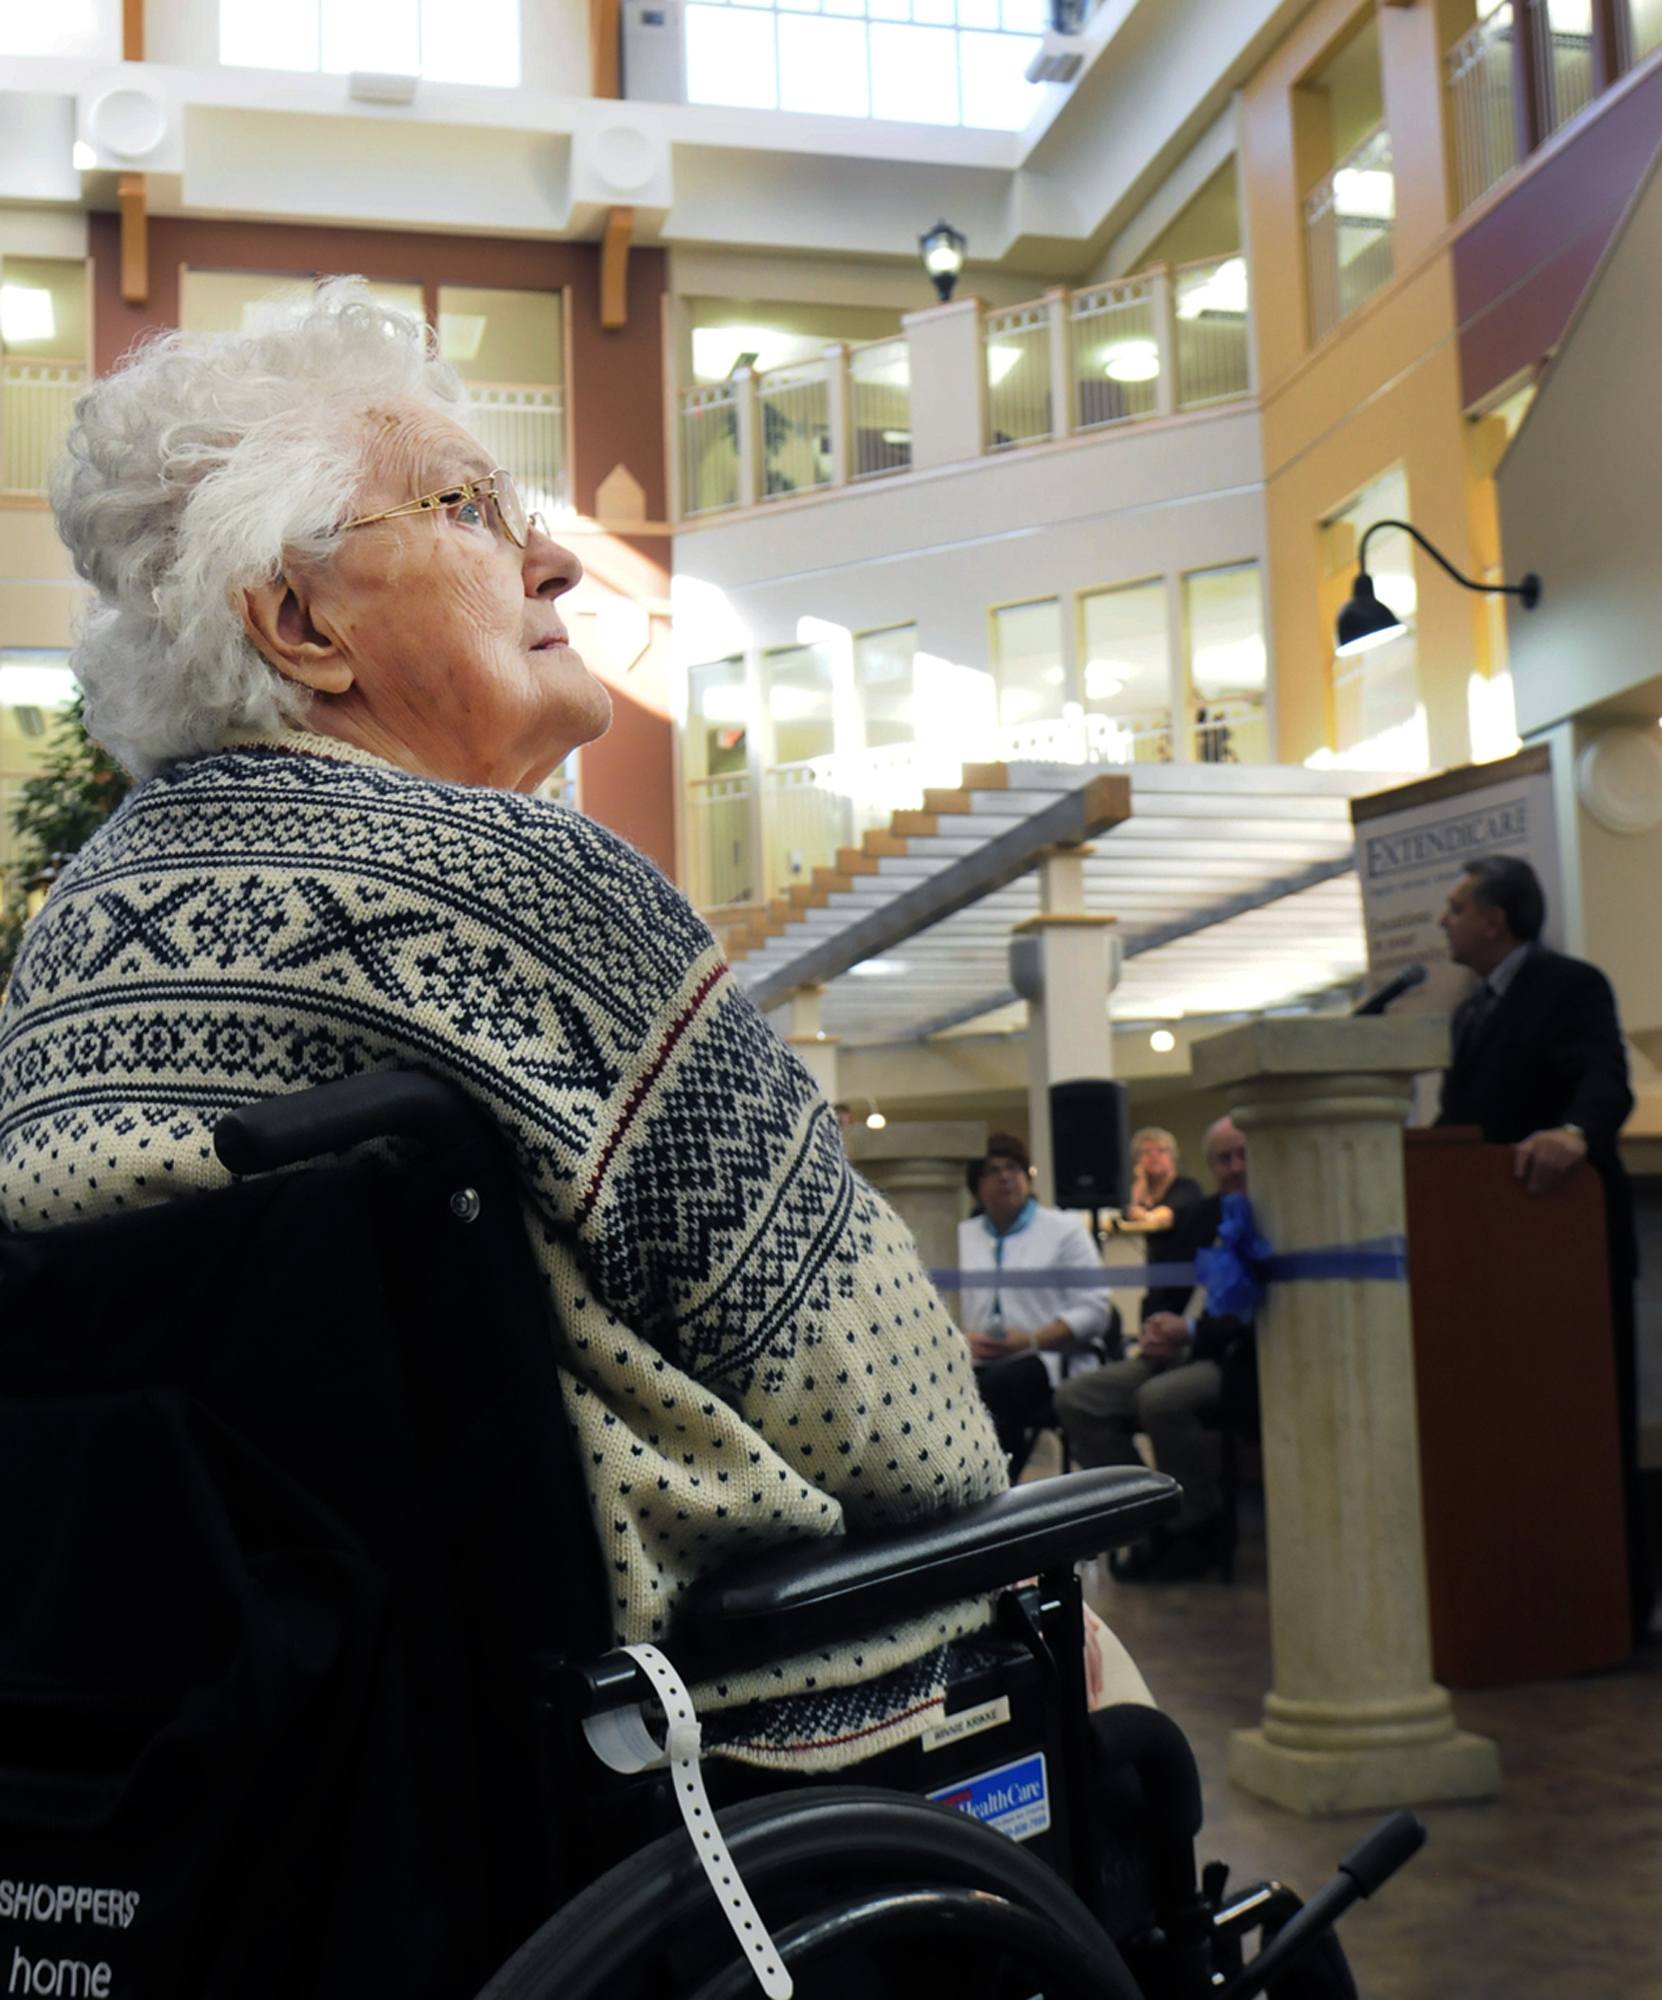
(1549,1055)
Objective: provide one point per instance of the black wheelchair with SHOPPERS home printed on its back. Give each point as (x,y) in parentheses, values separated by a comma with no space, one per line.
(303,1627)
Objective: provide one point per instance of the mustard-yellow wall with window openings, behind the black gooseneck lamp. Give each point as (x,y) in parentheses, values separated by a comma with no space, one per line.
(1383,389)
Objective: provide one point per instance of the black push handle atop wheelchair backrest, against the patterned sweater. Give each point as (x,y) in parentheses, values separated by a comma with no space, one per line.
(349,1113)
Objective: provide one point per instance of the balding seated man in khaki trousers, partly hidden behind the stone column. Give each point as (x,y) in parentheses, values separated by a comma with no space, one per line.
(1185,1373)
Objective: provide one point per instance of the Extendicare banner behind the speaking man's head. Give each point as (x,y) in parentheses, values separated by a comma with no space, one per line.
(1417,841)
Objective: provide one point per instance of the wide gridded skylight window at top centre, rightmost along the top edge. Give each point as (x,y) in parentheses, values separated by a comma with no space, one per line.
(947,63)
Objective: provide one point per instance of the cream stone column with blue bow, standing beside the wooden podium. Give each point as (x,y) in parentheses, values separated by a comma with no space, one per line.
(1355,1717)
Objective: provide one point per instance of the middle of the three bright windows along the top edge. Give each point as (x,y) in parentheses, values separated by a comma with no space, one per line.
(443,41)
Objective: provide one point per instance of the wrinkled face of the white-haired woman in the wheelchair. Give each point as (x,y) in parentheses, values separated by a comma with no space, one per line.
(453,635)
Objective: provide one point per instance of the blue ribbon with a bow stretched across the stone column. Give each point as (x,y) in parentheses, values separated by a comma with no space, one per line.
(1237,1271)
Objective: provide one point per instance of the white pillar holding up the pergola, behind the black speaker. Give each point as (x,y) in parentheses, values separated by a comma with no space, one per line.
(1065,967)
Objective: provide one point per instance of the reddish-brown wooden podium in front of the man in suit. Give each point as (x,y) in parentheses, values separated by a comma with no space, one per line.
(1517,1397)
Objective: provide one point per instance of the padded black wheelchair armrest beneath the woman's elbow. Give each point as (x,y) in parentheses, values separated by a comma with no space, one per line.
(795,1599)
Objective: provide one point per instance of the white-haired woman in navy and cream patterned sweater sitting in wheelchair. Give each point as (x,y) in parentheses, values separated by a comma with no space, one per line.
(329,641)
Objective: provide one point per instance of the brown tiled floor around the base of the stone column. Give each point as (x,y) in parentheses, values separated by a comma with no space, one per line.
(1553,1893)
